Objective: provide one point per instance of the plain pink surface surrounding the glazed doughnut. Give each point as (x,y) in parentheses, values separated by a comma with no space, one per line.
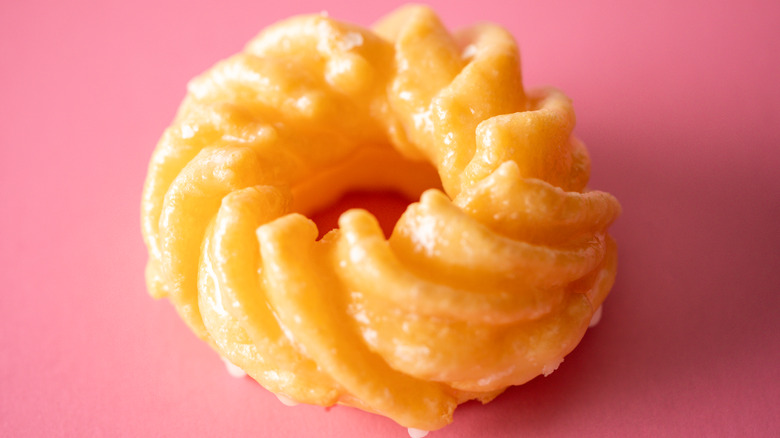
(679,105)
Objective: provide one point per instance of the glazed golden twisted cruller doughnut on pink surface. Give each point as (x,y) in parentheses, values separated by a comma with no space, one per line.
(487,280)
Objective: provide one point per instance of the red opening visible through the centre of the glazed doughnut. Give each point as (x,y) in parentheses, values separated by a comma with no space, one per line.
(386,205)
